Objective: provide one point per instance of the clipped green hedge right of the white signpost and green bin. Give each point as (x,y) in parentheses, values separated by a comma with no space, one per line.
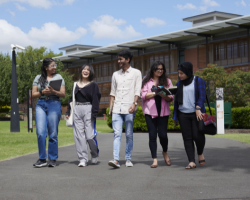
(241,117)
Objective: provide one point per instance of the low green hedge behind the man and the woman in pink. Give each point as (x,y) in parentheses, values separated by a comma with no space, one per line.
(140,123)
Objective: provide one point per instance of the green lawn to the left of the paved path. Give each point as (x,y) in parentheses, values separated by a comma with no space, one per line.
(16,144)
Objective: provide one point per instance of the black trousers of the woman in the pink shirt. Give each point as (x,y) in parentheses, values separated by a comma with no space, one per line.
(159,124)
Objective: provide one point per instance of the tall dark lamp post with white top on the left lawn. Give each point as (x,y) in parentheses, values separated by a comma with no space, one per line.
(14,121)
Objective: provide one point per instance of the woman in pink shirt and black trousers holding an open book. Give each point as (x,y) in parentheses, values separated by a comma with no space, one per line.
(156,109)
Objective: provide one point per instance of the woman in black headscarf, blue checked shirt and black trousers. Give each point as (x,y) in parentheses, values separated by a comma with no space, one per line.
(188,110)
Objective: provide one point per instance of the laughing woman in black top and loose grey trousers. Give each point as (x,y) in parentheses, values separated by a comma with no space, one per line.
(87,96)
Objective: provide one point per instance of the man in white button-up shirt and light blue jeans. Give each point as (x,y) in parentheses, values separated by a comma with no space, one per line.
(125,91)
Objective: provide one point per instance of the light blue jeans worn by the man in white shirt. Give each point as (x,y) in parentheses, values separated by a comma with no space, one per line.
(117,122)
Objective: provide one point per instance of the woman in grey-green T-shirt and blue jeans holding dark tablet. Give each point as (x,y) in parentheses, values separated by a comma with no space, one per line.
(48,112)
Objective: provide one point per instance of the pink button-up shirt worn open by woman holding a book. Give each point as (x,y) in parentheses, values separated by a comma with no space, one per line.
(149,106)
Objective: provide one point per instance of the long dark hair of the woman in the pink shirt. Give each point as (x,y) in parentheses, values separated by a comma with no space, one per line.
(150,74)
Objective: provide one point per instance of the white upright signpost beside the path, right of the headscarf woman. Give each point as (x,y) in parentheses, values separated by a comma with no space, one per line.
(220,111)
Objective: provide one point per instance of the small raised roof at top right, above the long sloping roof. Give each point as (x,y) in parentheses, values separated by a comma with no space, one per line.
(210,14)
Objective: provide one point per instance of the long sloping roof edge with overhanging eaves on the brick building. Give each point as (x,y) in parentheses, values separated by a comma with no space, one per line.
(176,36)
